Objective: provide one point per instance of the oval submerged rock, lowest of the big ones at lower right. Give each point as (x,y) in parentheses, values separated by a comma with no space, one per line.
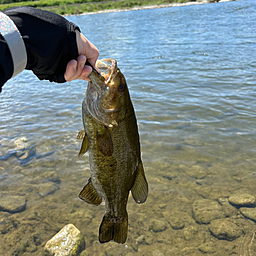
(225,229)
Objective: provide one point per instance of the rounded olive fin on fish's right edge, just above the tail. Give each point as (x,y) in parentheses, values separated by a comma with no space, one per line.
(140,186)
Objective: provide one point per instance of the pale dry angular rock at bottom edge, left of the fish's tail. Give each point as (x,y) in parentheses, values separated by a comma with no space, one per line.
(67,242)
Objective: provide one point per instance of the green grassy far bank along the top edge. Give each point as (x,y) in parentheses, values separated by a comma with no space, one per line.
(82,6)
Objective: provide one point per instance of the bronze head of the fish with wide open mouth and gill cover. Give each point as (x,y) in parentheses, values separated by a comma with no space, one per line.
(107,96)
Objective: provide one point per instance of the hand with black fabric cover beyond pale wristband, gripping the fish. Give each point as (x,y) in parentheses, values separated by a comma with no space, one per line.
(53,44)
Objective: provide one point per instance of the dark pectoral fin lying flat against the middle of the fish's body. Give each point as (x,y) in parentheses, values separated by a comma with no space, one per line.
(104,142)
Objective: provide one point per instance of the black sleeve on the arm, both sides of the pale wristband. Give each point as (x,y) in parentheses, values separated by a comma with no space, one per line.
(50,42)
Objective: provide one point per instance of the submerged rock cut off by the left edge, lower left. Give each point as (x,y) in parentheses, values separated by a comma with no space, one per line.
(12,204)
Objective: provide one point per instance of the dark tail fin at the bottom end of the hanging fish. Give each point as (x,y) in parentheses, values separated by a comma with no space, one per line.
(113,228)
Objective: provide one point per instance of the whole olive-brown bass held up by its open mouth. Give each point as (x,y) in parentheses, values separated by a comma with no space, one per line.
(111,137)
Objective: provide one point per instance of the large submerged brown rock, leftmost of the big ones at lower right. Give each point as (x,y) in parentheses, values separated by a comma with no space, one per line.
(205,210)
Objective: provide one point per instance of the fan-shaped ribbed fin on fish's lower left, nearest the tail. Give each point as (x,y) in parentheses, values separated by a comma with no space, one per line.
(90,195)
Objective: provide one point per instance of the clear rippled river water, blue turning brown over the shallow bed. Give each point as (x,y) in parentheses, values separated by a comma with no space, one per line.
(191,75)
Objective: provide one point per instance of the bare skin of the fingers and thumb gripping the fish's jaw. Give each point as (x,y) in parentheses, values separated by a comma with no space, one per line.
(76,69)
